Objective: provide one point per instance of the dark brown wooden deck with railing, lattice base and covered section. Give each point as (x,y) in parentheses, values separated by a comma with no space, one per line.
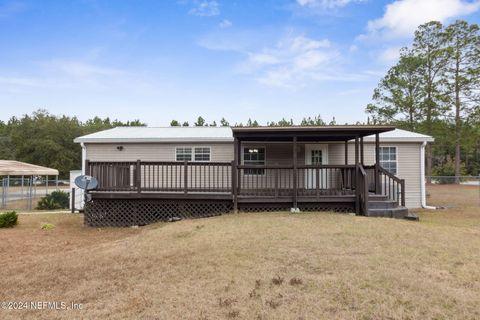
(146,191)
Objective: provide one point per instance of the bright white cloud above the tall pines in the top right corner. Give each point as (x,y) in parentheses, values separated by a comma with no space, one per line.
(402,17)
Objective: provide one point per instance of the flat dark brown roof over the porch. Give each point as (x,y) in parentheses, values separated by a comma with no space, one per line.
(313,133)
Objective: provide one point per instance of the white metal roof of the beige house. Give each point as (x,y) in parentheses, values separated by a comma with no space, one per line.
(225,134)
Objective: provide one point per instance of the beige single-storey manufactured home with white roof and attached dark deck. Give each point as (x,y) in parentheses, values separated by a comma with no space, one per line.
(148,174)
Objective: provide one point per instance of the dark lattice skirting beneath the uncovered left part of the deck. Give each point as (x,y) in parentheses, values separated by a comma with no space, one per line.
(130,212)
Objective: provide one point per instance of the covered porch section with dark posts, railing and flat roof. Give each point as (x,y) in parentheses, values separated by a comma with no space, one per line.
(300,173)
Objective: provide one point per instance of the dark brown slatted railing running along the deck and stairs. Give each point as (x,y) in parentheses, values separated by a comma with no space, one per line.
(275,181)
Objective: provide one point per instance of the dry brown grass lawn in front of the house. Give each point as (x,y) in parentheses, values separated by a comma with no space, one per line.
(251,266)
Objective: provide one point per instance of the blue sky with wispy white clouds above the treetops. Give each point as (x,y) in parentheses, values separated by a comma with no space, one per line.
(163,60)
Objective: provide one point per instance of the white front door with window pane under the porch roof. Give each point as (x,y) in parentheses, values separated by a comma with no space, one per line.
(316,154)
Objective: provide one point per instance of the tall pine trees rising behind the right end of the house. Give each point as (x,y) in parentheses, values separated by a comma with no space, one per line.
(434,88)
